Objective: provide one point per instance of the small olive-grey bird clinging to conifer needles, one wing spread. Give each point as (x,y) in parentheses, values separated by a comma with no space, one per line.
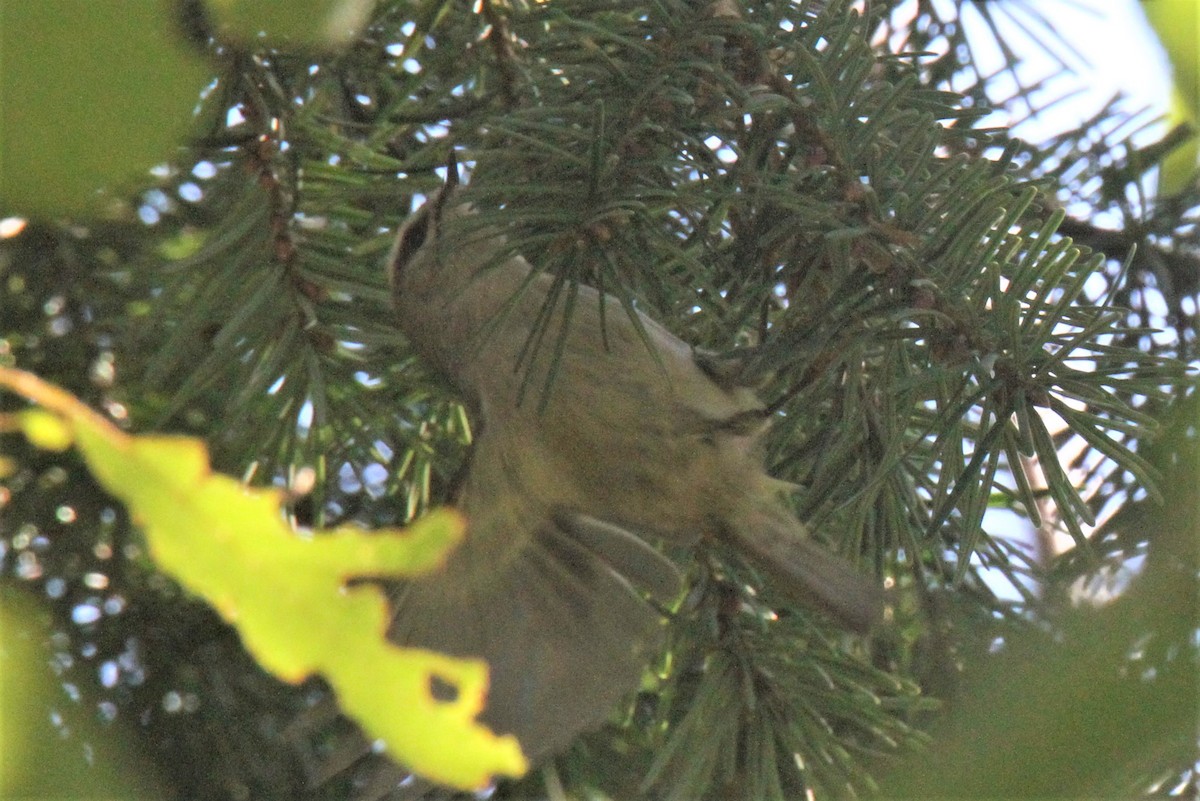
(610,432)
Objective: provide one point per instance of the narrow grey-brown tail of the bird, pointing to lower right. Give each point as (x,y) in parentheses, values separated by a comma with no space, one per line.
(778,545)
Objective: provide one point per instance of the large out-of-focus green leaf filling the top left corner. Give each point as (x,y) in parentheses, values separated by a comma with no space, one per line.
(93,95)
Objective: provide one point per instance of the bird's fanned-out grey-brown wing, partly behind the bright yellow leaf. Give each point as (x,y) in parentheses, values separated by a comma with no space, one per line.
(560,617)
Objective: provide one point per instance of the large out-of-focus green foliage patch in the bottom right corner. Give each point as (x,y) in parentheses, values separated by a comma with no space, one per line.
(1065,714)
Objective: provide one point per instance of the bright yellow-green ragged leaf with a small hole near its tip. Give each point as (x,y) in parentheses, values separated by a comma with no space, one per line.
(291,597)
